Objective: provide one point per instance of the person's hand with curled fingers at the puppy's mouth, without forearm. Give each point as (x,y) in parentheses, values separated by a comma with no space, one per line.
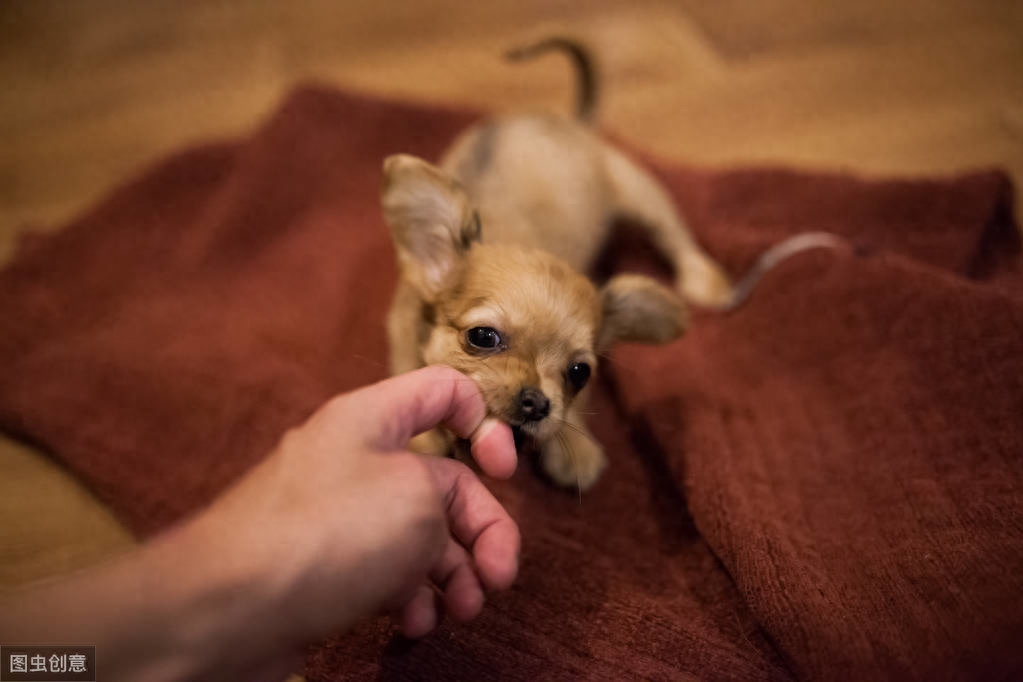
(350,523)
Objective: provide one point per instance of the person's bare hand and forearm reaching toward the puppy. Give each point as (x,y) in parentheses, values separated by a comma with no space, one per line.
(338,524)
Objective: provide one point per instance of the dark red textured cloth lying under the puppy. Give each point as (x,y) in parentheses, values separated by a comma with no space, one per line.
(824,485)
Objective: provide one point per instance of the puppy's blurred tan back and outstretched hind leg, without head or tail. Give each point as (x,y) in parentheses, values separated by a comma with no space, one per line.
(549,183)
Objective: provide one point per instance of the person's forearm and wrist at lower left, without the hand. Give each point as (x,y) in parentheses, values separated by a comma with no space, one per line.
(161,613)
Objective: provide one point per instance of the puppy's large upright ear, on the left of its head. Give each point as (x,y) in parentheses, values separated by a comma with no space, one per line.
(431,221)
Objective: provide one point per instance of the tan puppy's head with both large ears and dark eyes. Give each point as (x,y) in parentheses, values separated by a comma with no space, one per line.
(520,323)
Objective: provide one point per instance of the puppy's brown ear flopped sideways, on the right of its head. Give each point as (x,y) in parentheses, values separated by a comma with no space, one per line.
(639,309)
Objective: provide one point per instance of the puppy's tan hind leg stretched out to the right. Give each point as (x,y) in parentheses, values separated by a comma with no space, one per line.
(639,197)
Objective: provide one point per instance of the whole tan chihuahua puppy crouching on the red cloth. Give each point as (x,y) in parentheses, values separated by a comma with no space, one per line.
(494,245)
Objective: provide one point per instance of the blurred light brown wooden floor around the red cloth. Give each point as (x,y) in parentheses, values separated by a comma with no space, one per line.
(94,90)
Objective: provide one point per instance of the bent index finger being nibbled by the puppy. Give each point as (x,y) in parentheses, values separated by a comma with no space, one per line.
(398,408)
